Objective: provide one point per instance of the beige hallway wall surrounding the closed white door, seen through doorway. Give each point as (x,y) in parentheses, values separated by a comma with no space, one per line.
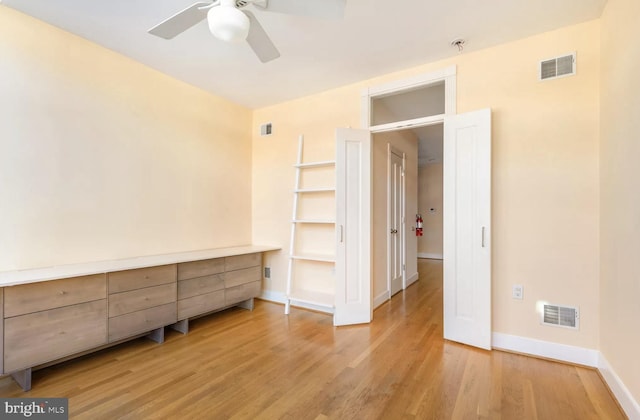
(405,142)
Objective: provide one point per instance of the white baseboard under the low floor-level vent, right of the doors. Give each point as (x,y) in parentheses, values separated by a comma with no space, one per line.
(547,349)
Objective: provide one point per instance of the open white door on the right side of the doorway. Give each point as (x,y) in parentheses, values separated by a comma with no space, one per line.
(467,228)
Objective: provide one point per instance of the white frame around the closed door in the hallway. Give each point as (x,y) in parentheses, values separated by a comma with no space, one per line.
(392,150)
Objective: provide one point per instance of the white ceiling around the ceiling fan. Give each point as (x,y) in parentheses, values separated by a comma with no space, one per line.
(376,37)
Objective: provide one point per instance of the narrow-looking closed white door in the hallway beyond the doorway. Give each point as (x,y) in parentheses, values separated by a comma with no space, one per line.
(395,214)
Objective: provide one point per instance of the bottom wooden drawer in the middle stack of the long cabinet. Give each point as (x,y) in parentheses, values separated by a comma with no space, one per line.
(141,321)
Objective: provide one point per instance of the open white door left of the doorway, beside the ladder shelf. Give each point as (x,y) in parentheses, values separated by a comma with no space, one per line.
(353,304)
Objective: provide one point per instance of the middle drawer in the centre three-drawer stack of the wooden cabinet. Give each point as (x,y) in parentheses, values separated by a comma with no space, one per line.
(137,300)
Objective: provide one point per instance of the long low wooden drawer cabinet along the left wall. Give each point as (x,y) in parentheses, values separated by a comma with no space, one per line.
(48,320)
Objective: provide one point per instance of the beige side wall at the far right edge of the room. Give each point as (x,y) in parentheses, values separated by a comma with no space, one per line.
(620,184)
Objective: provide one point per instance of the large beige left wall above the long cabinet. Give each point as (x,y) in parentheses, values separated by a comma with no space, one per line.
(105,158)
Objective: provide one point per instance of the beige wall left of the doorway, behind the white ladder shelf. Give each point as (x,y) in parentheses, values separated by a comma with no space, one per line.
(316,118)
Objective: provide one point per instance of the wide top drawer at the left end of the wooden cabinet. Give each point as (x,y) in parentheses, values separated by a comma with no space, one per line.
(35,297)
